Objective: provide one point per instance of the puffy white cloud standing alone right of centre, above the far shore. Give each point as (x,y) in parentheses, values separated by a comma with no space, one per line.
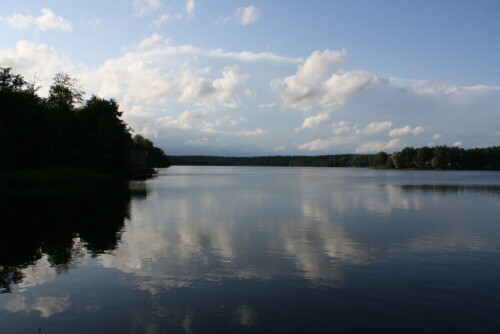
(319,84)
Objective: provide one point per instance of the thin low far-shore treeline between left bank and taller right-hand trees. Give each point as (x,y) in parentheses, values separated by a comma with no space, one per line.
(339,160)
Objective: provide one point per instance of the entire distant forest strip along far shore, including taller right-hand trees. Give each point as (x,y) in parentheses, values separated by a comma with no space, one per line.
(438,157)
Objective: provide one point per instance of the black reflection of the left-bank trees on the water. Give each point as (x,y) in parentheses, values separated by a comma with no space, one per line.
(62,226)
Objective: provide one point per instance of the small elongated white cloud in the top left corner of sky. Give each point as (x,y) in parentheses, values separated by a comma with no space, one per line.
(47,21)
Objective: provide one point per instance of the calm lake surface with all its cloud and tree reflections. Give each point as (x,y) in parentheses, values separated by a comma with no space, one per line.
(257,249)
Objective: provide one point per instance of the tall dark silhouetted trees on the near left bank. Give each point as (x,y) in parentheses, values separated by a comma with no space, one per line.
(63,130)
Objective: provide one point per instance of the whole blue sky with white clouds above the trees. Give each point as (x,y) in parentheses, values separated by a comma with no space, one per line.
(239,78)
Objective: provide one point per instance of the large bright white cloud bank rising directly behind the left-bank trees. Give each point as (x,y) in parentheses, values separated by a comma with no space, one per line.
(152,75)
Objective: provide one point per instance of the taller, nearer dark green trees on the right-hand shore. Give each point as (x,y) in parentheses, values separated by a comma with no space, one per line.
(441,157)
